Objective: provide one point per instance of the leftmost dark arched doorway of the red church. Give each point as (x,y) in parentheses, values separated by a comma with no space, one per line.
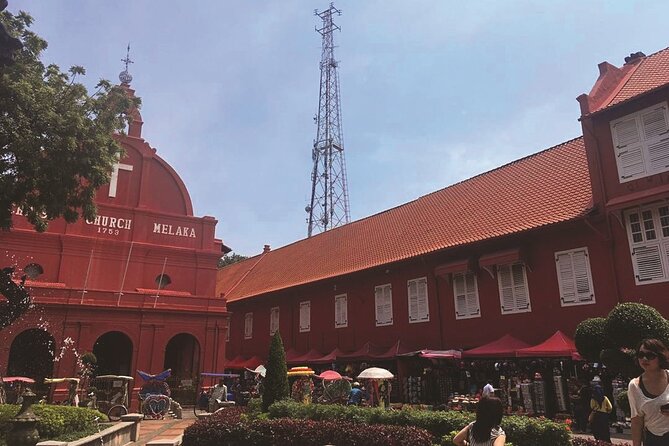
(32,354)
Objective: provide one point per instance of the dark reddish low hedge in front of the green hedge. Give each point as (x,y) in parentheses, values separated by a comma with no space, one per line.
(229,428)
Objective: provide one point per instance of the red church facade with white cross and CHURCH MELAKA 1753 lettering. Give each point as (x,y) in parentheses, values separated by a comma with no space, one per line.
(135,285)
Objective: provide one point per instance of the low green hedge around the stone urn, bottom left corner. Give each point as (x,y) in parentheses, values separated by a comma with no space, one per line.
(55,422)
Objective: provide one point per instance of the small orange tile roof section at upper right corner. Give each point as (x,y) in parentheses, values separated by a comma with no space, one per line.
(650,73)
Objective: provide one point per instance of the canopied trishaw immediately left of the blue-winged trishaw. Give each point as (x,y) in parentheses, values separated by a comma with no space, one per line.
(111,395)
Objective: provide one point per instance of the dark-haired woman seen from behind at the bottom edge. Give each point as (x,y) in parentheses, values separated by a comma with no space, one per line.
(485,431)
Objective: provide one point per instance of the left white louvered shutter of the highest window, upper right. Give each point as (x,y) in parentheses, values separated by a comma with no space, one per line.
(628,148)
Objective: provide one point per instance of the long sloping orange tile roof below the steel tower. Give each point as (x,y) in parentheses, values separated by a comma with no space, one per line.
(548,187)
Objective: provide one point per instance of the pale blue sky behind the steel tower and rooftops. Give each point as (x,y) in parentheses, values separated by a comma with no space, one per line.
(432,92)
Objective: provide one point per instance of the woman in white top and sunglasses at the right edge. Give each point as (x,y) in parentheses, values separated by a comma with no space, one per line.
(648,395)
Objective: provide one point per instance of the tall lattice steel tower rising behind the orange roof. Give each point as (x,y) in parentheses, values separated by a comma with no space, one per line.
(329,195)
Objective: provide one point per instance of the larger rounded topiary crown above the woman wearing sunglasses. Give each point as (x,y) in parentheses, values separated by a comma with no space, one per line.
(629,323)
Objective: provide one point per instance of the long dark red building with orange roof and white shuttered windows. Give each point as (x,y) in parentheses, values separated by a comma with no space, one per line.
(532,247)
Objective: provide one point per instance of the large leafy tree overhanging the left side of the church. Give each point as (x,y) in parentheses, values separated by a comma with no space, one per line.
(57,144)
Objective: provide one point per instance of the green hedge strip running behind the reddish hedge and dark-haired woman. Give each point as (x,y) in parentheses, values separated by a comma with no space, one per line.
(520,430)
